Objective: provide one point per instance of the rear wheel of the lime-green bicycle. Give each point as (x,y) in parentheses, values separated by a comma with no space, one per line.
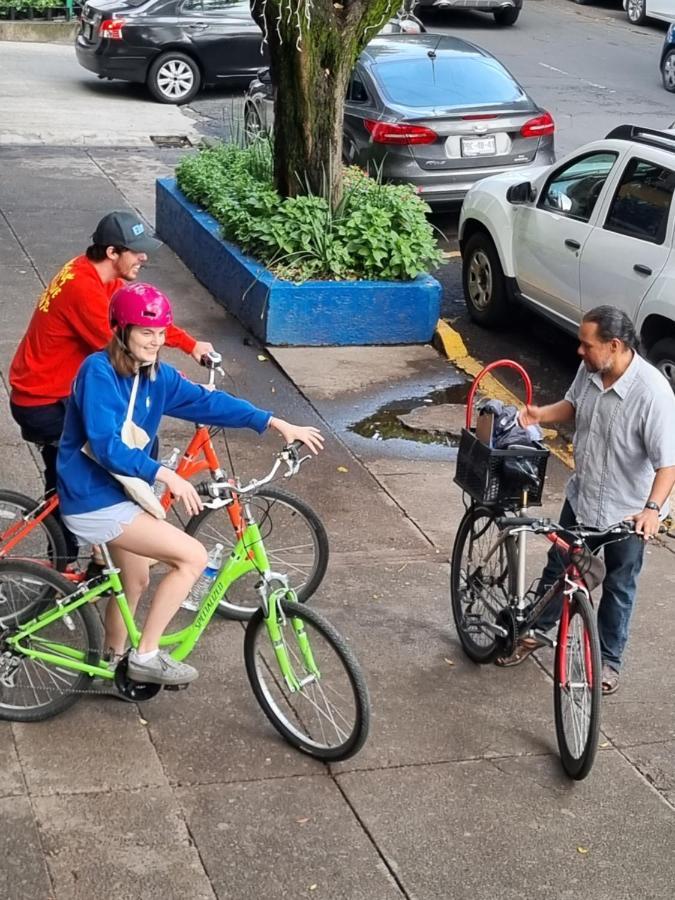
(31,690)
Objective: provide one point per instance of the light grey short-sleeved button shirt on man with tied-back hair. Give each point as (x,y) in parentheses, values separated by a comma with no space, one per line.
(622,435)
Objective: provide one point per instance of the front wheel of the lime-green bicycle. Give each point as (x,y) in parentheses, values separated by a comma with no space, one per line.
(329,715)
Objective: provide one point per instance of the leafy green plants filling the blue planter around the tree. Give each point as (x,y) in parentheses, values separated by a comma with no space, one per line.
(378,231)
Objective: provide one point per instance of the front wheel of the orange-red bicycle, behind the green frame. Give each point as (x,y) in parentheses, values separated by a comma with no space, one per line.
(295,540)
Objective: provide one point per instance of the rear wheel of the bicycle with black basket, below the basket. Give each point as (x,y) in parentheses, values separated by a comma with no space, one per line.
(489,647)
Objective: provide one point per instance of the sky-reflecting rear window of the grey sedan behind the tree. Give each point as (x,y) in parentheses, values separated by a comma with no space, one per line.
(448,81)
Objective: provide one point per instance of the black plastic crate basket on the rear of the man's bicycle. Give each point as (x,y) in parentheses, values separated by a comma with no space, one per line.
(482,473)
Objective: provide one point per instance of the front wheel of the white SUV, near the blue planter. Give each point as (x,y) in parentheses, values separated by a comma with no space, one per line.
(483,281)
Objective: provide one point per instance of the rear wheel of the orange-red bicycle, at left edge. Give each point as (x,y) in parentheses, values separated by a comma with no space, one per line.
(44,542)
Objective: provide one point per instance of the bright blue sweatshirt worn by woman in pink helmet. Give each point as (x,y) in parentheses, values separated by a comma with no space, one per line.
(96,412)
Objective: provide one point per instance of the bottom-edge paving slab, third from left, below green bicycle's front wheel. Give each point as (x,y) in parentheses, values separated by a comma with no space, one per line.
(320,849)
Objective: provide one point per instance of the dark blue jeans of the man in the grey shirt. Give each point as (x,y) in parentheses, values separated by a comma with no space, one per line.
(623,562)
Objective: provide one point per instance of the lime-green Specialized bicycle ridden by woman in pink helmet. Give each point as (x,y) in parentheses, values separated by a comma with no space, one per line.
(303,675)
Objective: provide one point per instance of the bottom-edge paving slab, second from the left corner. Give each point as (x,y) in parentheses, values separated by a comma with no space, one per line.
(127,845)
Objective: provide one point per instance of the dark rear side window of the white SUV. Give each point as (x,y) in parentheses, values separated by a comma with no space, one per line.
(642,201)
